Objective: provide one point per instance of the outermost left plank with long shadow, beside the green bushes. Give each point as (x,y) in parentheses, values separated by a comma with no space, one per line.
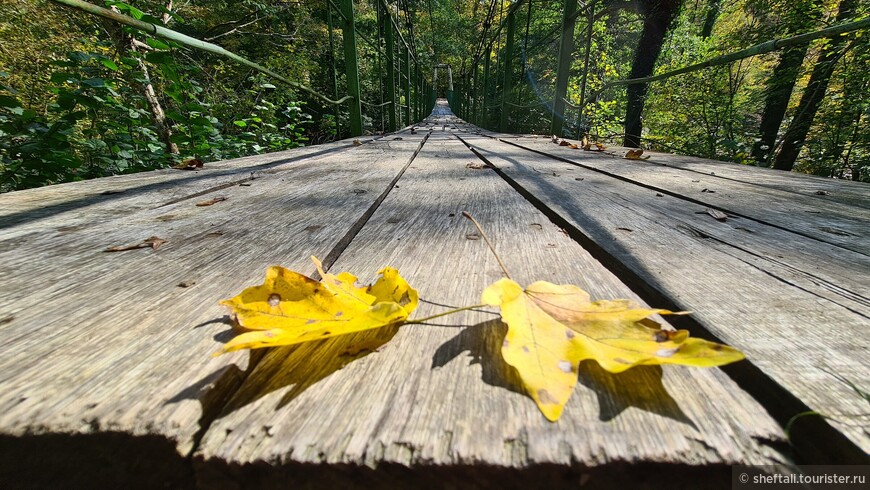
(78,204)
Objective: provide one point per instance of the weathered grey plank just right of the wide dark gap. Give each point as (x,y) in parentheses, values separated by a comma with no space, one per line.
(797,307)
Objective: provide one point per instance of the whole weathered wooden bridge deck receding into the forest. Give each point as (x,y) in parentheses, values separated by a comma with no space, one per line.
(107,374)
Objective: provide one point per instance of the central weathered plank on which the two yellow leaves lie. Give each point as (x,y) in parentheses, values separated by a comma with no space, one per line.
(438,396)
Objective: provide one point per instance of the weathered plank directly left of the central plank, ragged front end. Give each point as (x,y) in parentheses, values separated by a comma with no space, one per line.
(108,346)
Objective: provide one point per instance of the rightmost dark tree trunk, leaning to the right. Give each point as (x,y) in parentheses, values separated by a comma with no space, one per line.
(813,94)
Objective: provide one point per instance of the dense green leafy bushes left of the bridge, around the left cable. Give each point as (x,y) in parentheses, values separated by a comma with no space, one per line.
(86,112)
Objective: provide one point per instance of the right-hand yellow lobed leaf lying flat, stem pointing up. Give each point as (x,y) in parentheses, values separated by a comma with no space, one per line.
(552,328)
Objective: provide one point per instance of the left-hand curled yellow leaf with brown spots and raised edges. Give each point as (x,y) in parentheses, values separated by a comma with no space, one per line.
(290,308)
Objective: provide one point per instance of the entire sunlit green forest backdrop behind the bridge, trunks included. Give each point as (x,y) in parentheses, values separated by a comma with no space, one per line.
(83,96)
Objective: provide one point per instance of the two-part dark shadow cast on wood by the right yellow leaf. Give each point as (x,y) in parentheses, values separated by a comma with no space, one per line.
(640,387)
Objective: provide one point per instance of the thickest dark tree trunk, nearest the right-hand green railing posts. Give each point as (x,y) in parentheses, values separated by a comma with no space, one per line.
(658,15)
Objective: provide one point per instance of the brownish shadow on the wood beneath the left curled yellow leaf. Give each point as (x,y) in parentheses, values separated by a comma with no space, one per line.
(294,368)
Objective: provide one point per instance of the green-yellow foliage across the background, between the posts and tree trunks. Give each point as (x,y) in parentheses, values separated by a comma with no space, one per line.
(79,96)
